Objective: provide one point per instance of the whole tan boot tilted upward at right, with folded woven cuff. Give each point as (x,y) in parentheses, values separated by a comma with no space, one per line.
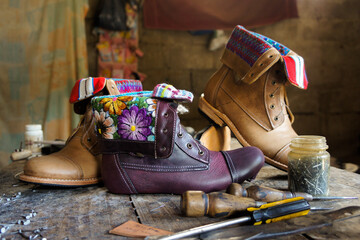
(248,93)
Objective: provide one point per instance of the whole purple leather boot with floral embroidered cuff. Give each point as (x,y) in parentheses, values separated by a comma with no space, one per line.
(146,150)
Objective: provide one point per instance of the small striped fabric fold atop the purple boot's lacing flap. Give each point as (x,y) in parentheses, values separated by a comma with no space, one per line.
(168,91)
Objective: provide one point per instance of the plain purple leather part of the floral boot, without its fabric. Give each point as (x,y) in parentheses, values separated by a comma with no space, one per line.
(129,167)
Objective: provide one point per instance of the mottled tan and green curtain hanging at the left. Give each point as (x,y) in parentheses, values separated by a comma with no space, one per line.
(42,53)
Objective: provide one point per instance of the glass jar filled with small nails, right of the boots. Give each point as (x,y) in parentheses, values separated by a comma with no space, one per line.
(309,165)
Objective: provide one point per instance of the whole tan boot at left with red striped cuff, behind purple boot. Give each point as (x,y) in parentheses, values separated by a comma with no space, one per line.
(78,163)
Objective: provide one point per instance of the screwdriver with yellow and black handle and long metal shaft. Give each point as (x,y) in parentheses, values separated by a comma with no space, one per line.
(266,213)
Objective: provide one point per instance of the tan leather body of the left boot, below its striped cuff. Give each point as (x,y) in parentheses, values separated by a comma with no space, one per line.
(75,165)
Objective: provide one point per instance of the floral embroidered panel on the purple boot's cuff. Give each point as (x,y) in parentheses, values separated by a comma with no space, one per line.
(125,117)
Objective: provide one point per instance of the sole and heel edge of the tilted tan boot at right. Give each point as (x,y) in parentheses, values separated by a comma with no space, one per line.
(222,120)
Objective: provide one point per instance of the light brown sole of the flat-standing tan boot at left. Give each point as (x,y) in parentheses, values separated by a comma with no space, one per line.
(59,182)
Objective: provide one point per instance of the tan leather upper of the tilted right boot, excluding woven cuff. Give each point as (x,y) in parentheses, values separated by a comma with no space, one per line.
(258,111)
